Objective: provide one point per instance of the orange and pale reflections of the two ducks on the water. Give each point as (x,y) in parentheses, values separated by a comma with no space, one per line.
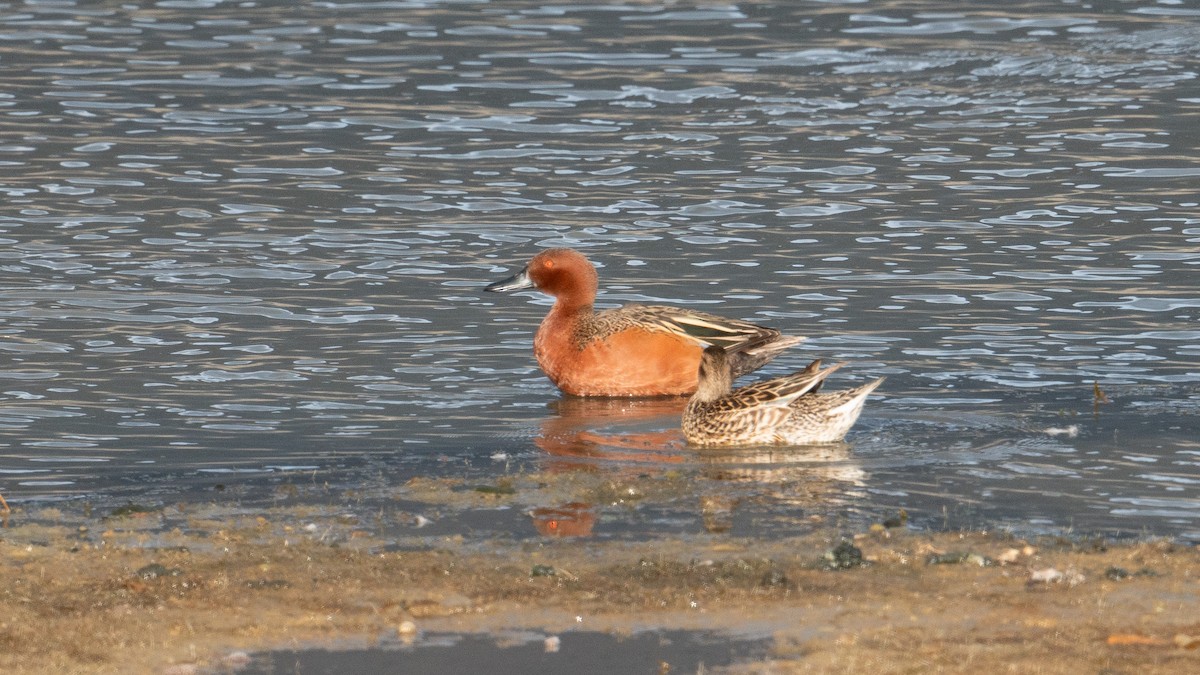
(622,441)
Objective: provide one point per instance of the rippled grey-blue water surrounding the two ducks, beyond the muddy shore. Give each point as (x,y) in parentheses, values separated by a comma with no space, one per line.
(244,244)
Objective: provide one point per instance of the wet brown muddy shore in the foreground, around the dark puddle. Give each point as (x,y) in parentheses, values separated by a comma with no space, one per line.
(119,594)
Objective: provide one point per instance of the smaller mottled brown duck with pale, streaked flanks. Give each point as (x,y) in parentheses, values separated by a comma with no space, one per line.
(783,411)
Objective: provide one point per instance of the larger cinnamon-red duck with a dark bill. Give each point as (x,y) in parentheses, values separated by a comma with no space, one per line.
(631,351)
